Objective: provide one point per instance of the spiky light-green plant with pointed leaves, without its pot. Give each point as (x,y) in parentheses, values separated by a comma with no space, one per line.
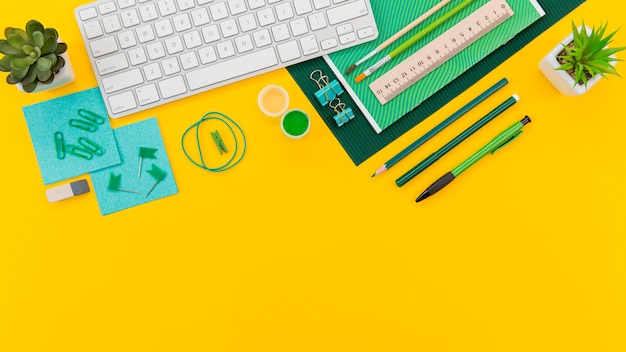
(588,54)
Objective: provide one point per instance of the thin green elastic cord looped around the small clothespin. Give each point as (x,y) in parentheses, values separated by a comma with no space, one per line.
(214,115)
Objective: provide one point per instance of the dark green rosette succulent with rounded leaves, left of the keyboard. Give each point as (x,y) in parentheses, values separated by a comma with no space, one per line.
(31,55)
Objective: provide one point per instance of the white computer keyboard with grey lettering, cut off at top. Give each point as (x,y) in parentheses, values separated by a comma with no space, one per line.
(150,52)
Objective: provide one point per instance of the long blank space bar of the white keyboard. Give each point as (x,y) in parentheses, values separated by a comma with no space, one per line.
(230,69)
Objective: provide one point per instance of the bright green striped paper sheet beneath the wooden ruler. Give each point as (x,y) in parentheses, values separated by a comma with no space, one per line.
(391,19)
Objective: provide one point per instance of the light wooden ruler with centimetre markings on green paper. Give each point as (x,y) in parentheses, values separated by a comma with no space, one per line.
(440,50)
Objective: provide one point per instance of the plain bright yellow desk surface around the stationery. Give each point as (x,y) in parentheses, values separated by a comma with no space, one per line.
(296,249)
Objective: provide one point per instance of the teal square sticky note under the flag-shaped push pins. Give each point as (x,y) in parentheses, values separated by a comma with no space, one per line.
(143,134)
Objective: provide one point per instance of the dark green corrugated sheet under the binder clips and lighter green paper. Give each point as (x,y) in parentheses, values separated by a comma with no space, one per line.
(357,137)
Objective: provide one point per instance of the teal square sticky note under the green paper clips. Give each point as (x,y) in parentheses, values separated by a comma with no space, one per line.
(52,117)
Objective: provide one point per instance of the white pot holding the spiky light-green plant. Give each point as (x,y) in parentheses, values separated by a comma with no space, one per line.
(561,80)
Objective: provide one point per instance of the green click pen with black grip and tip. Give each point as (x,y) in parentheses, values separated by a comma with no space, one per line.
(501,140)
